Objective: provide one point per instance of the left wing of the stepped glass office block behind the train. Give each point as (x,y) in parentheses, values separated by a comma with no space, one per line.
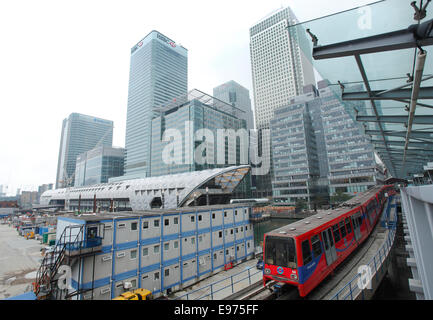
(295,155)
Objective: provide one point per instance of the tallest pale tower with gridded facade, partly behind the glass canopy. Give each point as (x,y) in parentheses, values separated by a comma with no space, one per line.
(280,70)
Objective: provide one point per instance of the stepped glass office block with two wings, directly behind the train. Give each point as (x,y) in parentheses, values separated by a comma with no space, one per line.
(319,150)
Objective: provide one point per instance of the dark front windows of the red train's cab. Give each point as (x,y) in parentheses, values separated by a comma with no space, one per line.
(280,251)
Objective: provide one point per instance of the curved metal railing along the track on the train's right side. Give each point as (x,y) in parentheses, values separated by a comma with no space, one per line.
(374,268)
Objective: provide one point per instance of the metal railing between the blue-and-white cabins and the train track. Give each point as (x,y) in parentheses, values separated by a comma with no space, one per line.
(247,276)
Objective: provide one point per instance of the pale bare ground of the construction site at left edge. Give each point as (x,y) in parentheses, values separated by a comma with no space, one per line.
(19,259)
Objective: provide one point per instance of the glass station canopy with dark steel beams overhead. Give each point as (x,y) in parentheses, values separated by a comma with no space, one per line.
(377,62)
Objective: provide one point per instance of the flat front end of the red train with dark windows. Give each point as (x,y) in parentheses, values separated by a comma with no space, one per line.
(280,260)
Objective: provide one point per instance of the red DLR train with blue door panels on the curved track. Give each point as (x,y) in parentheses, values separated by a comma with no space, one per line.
(304,253)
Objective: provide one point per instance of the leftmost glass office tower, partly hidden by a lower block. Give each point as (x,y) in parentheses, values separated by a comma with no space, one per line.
(80,133)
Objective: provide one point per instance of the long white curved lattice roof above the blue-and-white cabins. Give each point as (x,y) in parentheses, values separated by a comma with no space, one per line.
(176,189)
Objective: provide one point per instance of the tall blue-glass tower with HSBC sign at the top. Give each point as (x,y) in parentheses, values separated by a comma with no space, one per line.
(158,73)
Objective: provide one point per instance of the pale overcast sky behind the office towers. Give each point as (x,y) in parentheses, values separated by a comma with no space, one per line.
(59,57)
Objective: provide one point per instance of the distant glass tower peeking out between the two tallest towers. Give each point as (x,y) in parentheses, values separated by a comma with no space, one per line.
(238,96)
